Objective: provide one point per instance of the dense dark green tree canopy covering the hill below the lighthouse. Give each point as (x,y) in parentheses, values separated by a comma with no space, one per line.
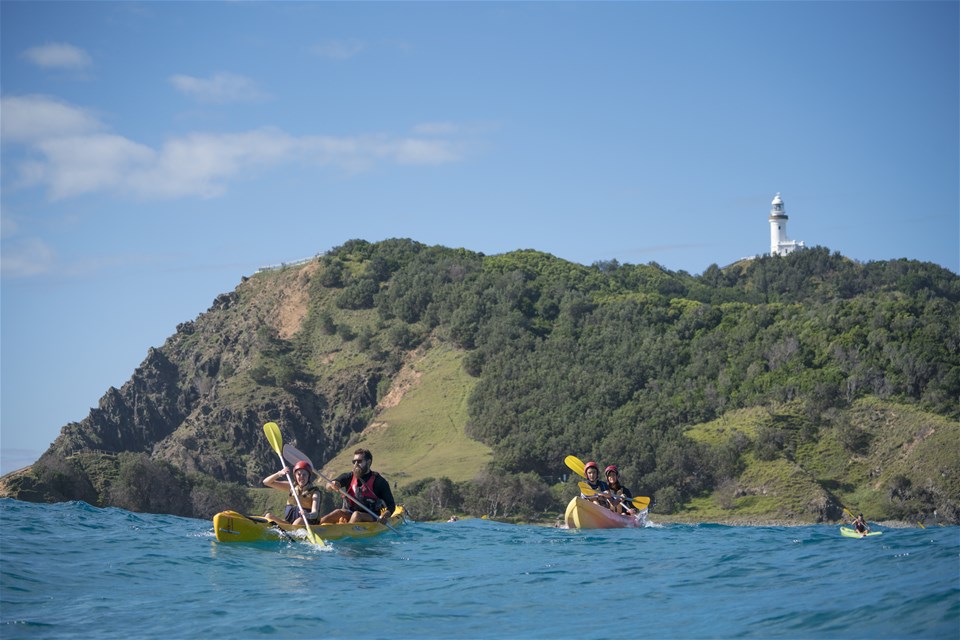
(616,360)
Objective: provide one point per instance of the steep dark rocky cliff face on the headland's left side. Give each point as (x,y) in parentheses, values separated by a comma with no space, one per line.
(193,403)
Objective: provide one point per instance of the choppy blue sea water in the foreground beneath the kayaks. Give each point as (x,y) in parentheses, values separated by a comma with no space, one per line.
(74,571)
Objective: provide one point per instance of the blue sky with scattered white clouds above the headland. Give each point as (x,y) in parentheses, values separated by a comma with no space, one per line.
(155,153)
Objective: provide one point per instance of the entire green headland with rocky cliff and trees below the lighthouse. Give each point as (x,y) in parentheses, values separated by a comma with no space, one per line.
(776,388)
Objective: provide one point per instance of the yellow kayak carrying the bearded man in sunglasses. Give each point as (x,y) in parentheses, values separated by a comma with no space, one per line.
(230,526)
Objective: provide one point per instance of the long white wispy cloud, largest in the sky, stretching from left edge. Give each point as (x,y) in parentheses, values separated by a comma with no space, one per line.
(71,153)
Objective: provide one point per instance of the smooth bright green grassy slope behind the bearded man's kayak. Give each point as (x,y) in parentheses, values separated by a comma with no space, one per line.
(423,436)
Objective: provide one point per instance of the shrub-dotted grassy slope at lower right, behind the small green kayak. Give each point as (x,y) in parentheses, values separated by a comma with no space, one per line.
(905,441)
